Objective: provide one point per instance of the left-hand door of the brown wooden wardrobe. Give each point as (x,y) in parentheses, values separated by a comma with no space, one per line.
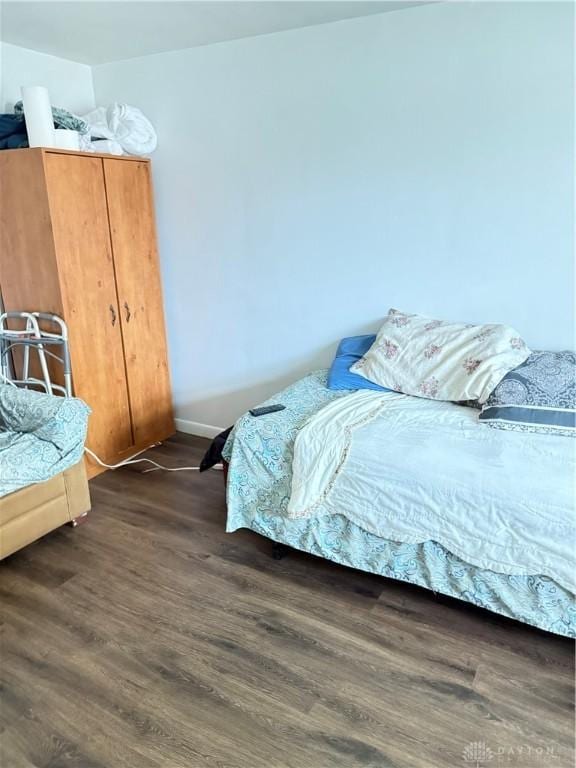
(79,215)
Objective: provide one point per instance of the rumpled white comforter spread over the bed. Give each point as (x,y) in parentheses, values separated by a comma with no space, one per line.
(414,470)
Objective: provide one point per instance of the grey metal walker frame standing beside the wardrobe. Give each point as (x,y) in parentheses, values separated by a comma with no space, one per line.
(35,338)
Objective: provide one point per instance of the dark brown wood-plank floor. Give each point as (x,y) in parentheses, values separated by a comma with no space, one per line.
(149,638)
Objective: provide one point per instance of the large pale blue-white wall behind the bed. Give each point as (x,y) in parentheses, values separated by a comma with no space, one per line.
(307,181)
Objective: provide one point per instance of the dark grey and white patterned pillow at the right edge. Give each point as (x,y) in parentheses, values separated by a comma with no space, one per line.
(538,396)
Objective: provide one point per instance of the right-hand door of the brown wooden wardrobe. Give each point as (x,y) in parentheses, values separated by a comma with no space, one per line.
(131,214)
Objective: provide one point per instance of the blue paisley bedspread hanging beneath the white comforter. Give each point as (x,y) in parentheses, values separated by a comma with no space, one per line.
(260,453)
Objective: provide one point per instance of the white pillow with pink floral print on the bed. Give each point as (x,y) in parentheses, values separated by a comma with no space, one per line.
(440,360)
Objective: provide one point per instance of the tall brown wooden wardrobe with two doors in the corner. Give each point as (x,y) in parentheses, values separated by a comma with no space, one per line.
(78,239)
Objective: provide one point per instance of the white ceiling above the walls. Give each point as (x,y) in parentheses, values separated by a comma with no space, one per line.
(99,32)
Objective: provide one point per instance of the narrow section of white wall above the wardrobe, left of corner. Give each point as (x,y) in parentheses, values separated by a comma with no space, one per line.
(69,83)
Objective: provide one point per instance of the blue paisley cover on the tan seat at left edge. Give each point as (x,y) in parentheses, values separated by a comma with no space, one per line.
(40,436)
